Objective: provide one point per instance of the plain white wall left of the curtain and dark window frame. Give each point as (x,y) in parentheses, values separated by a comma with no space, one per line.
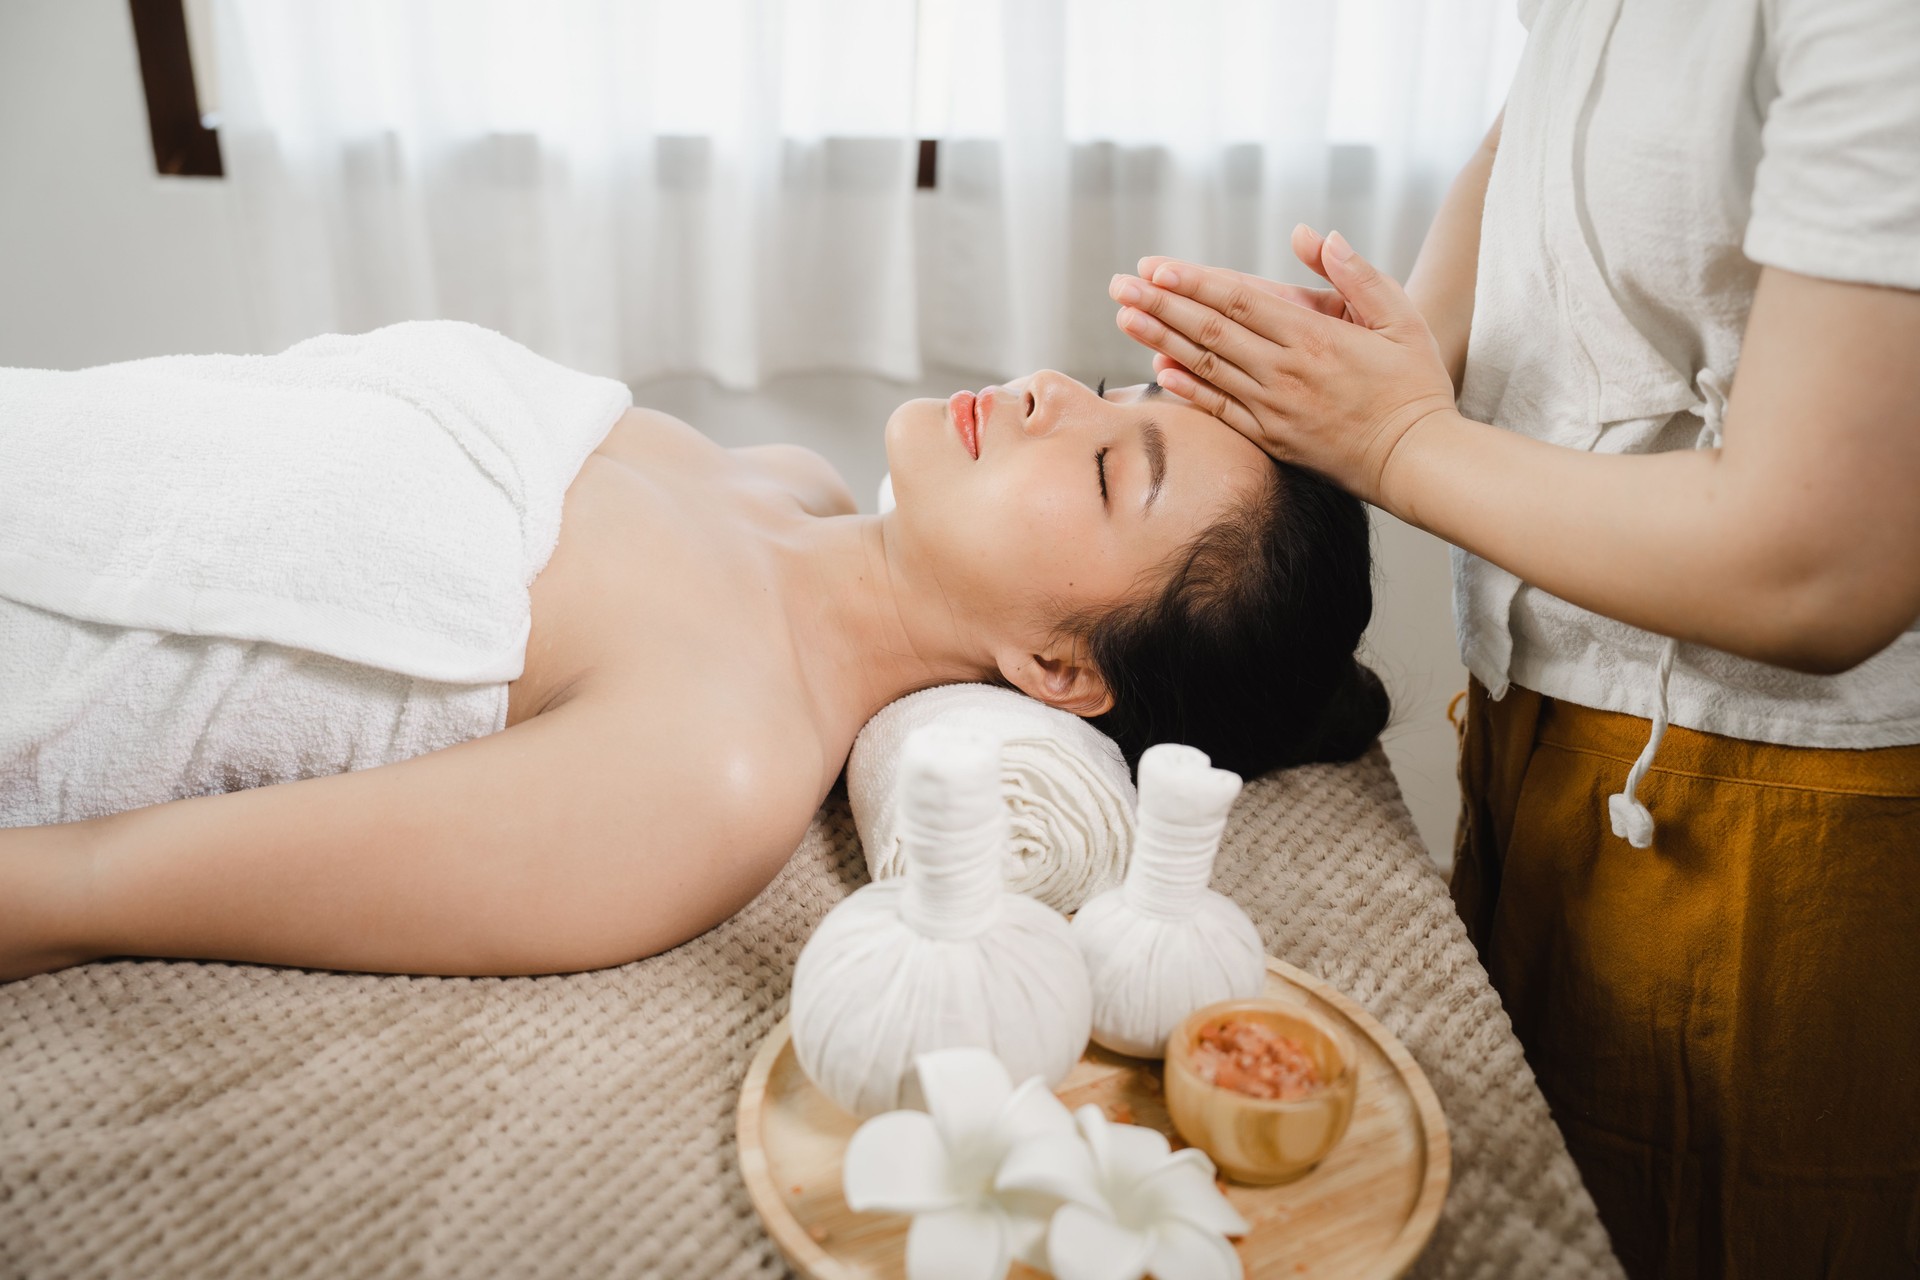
(101,260)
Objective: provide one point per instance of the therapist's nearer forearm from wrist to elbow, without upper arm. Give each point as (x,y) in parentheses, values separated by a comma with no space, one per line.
(1662,542)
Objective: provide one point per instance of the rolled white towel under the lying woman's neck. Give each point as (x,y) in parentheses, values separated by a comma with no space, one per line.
(1068,792)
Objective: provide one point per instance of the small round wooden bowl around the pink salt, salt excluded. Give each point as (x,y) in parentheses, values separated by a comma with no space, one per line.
(1262,1141)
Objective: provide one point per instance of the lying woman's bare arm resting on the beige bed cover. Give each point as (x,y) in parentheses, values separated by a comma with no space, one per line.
(569,841)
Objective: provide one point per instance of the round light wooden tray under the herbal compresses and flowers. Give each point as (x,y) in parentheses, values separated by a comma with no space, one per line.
(1364,1212)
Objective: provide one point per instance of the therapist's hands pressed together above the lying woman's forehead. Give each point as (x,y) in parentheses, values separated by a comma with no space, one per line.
(1322,392)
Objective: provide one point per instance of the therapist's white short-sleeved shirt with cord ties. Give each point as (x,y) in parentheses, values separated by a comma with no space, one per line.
(1654,156)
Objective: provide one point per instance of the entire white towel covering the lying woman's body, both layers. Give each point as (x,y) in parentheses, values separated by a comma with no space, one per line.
(228,571)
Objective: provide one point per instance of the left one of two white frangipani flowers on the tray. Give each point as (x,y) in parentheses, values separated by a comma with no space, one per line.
(940,1166)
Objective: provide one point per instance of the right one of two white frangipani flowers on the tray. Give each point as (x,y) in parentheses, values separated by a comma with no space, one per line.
(1134,1206)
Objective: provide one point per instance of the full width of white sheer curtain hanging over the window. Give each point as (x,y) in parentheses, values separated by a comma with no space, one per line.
(636,187)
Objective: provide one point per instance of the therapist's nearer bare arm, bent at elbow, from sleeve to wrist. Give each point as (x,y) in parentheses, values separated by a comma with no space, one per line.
(1796,544)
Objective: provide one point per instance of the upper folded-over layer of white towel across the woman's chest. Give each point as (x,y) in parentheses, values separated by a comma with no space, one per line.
(381,498)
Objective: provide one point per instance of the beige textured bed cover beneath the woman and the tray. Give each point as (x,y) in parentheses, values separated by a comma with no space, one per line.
(208,1120)
